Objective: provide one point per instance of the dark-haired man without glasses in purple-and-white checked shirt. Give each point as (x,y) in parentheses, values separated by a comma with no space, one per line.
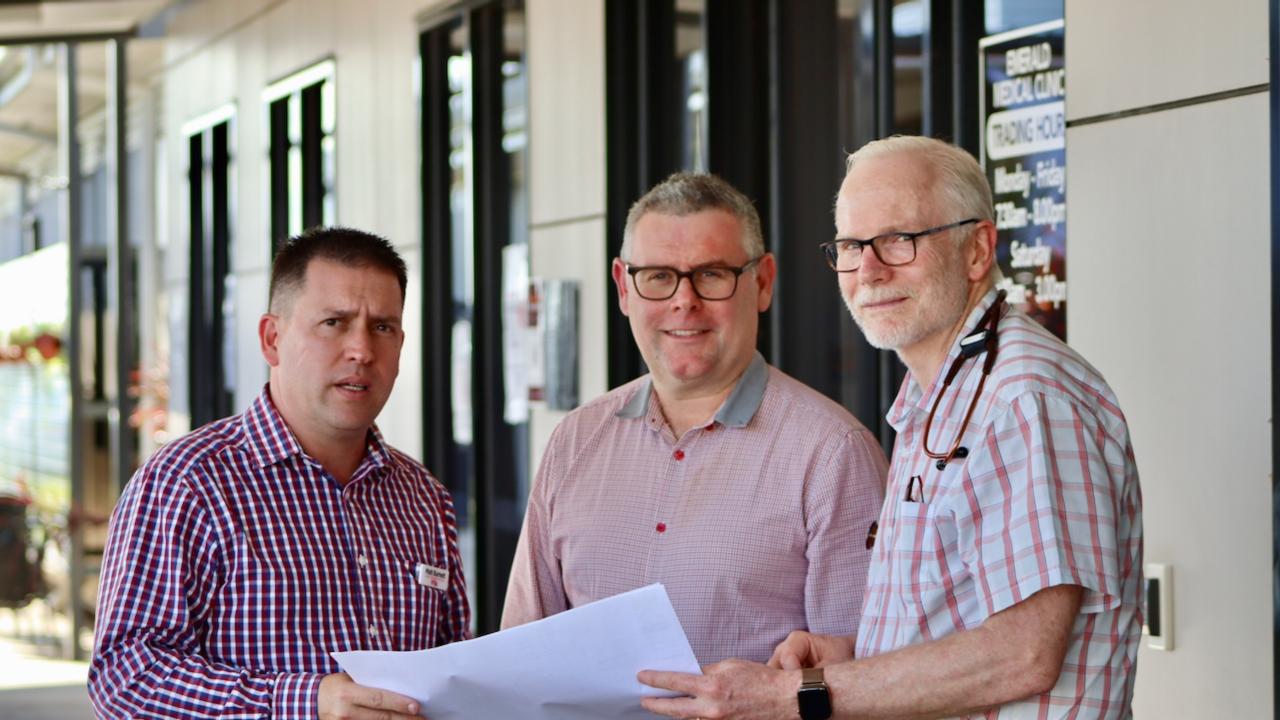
(241,555)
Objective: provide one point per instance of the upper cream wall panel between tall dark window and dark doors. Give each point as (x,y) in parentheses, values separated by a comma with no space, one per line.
(566,93)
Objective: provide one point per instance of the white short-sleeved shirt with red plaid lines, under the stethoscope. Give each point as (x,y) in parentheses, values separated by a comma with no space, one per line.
(1048,496)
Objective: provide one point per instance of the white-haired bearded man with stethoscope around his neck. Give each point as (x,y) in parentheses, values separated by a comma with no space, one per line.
(1007,571)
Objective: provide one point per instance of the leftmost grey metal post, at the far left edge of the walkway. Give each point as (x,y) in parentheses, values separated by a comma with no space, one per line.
(70,161)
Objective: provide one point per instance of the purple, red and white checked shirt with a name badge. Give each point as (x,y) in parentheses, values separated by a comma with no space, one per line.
(236,564)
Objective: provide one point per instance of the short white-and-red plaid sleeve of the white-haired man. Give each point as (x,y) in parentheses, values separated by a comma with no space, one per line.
(1046,505)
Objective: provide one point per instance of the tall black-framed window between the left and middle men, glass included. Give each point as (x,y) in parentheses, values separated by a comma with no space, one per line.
(474,103)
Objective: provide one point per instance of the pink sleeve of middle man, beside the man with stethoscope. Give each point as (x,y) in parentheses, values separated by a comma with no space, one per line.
(842,503)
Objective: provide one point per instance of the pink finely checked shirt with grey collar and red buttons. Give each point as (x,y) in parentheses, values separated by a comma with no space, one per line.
(756,522)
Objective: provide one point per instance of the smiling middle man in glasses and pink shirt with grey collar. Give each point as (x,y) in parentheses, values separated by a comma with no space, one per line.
(747,494)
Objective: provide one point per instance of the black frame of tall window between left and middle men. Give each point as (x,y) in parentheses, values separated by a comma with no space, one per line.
(496,444)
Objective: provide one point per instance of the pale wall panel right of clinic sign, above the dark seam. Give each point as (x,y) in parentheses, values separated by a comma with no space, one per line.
(1137,53)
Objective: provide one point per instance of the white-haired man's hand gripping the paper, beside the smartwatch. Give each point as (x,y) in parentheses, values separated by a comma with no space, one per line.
(733,690)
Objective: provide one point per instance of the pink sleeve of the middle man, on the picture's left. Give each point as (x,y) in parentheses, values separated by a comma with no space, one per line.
(537,587)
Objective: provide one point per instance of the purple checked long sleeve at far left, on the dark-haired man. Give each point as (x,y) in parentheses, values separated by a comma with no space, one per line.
(161,568)
